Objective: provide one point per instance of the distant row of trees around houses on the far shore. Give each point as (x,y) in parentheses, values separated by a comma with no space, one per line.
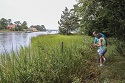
(5,23)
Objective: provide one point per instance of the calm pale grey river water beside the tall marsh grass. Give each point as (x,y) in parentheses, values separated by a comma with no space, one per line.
(13,40)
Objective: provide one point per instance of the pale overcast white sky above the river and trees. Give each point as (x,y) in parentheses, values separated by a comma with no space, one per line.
(35,12)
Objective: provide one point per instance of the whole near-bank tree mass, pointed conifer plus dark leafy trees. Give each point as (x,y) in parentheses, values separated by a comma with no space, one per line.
(106,16)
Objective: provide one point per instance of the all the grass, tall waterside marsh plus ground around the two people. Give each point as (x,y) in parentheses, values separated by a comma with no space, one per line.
(61,59)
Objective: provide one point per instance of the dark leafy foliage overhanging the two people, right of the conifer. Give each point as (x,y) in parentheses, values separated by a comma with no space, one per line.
(106,16)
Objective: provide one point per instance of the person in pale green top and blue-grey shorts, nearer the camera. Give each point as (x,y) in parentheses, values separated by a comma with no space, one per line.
(102,48)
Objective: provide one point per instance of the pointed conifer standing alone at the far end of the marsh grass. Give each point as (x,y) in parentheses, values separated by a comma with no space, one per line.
(68,21)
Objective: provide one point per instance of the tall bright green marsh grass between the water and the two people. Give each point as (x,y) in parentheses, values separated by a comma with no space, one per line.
(45,61)
